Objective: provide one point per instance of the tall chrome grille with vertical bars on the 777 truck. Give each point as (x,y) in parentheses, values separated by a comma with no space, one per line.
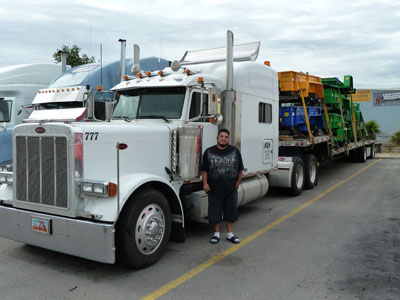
(42,170)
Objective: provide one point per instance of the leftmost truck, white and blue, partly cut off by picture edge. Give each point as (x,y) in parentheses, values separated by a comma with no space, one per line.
(18,87)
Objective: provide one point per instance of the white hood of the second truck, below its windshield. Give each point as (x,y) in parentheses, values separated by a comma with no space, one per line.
(68,114)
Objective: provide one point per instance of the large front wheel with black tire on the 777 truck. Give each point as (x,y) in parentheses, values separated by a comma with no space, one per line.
(143,230)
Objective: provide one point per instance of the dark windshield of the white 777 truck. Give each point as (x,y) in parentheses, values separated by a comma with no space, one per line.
(152,103)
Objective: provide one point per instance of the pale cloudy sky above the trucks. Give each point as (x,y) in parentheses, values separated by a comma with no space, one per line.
(324,38)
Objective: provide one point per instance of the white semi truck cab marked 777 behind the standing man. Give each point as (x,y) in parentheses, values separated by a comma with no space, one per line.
(120,189)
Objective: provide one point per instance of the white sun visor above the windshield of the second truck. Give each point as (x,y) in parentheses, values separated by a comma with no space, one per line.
(66,94)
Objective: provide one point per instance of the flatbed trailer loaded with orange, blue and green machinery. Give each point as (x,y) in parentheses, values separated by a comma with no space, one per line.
(313,131)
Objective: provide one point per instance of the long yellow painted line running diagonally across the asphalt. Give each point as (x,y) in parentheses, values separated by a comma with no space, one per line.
(193,272)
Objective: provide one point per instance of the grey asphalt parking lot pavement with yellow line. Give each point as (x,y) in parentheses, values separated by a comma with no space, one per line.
(340,240)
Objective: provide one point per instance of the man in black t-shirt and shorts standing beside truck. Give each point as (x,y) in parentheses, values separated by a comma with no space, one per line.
(222,174)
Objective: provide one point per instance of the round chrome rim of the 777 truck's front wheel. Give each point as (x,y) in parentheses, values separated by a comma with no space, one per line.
(150,229)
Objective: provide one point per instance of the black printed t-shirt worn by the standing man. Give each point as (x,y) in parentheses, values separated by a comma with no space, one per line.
(222,167)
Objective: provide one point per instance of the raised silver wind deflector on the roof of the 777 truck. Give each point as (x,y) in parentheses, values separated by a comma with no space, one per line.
(243,52)
